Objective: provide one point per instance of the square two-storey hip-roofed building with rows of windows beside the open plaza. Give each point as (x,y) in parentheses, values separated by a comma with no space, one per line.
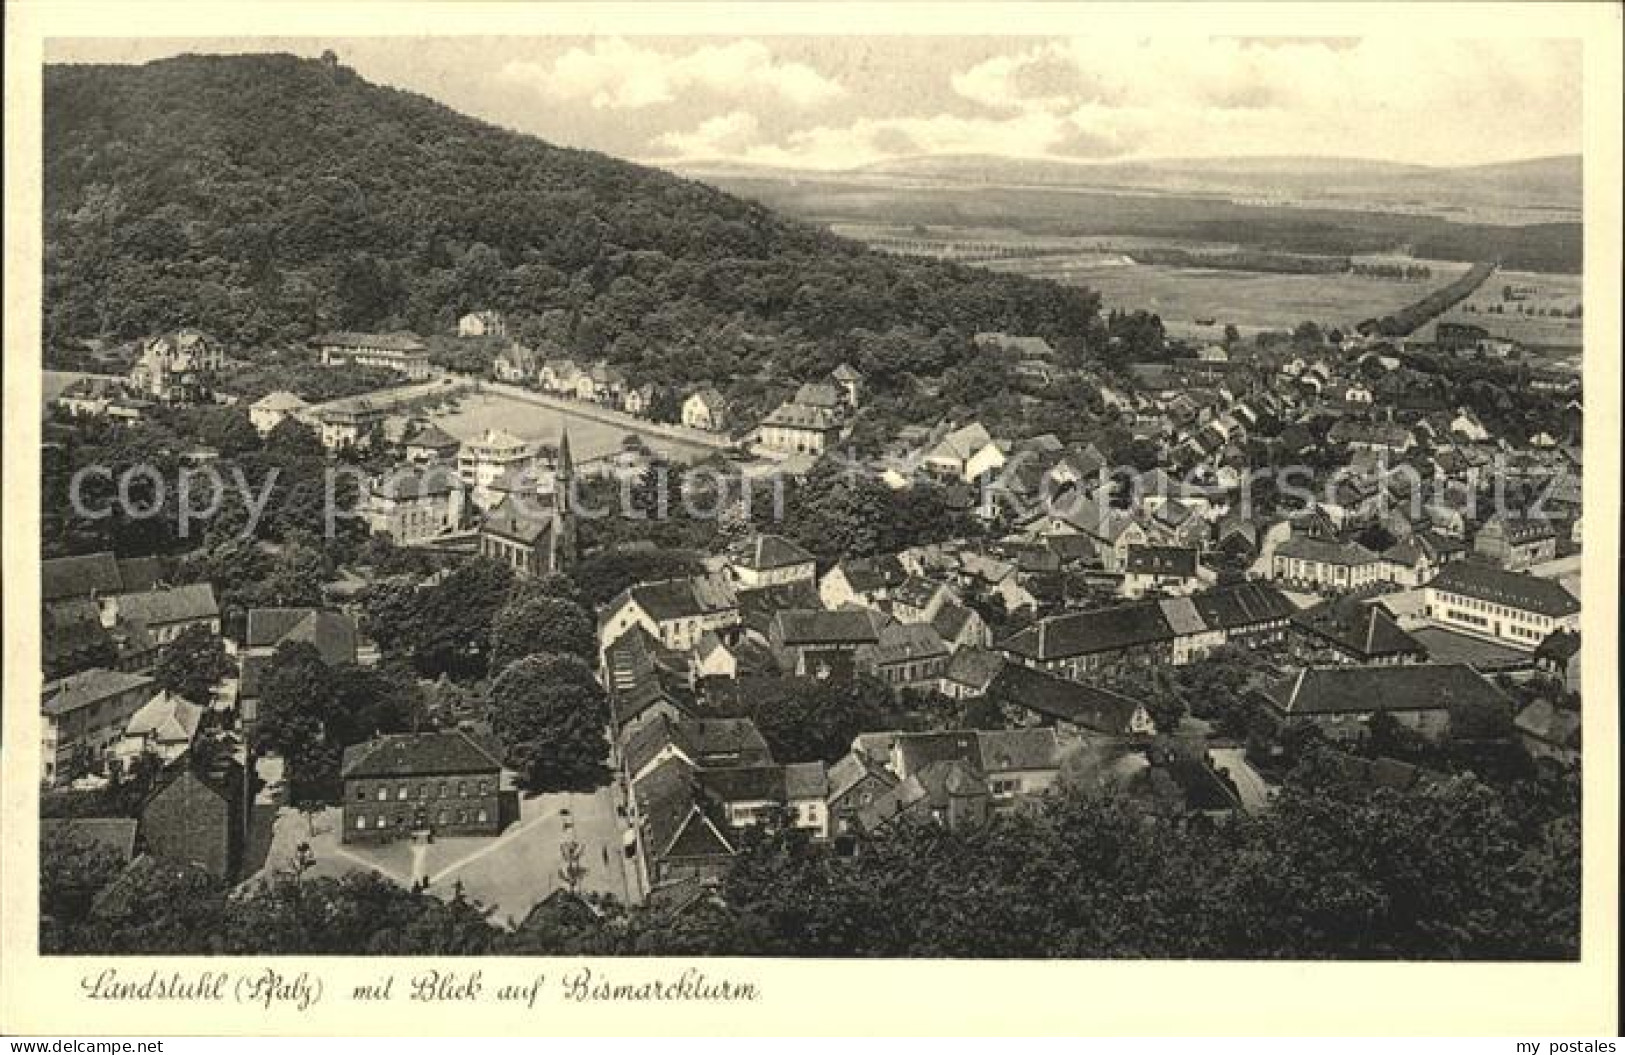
(443,783)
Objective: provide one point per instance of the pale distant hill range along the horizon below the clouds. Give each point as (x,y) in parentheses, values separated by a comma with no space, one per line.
(1540,188)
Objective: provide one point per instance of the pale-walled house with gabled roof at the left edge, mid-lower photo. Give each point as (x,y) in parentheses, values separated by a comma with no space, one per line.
(84,716)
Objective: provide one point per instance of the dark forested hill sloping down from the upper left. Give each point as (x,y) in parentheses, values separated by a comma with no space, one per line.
(269,198)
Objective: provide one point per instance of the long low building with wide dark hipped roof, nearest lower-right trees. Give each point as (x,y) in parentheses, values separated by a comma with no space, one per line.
(1343,700)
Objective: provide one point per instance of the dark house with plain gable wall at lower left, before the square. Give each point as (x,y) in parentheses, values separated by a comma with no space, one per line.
(196,818)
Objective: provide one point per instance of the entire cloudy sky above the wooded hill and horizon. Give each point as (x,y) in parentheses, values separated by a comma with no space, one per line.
(831,103)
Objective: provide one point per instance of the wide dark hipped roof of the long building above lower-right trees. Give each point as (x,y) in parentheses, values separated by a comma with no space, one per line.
(1369,690)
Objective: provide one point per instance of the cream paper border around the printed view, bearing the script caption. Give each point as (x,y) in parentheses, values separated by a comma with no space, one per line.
(319,996)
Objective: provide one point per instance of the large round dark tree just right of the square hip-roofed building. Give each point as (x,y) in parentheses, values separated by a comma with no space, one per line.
(550,714)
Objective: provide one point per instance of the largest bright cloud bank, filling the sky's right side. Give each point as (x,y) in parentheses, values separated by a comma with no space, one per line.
(1449,100)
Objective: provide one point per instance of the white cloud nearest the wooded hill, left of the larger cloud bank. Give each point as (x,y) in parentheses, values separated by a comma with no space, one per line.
(620,76)
